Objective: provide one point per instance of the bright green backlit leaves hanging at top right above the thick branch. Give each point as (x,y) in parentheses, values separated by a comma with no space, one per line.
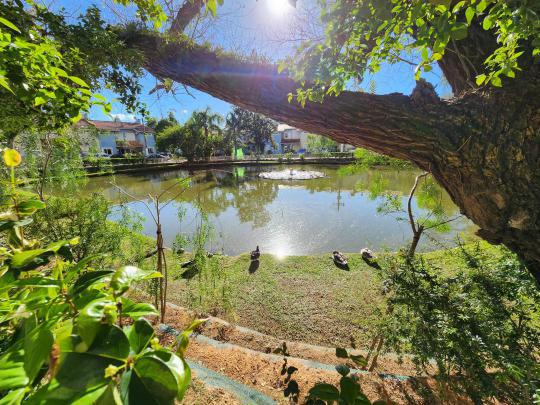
(360,36)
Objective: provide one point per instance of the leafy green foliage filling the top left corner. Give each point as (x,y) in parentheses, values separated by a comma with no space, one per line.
(49,67)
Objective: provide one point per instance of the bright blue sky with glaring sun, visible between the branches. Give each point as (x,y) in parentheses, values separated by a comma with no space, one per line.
(243,25)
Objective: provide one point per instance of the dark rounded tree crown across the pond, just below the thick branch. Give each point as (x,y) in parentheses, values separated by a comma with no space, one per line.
(250,128)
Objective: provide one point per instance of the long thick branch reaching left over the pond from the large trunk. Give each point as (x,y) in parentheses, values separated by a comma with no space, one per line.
(390,124)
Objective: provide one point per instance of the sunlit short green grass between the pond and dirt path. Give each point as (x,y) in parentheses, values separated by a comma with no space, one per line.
(304,298)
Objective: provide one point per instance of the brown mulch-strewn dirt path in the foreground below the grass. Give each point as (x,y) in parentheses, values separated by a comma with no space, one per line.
(241,359)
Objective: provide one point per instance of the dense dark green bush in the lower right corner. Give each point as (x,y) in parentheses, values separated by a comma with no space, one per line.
(481,325)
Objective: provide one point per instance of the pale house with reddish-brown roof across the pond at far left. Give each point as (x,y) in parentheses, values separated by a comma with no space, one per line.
(116,136)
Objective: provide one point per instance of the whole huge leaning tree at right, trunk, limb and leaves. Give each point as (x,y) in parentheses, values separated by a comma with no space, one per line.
(482,146)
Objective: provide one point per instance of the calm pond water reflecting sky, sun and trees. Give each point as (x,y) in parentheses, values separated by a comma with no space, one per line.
(283,217)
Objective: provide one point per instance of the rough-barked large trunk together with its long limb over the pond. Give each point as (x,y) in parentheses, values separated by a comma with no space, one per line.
(483,146)
